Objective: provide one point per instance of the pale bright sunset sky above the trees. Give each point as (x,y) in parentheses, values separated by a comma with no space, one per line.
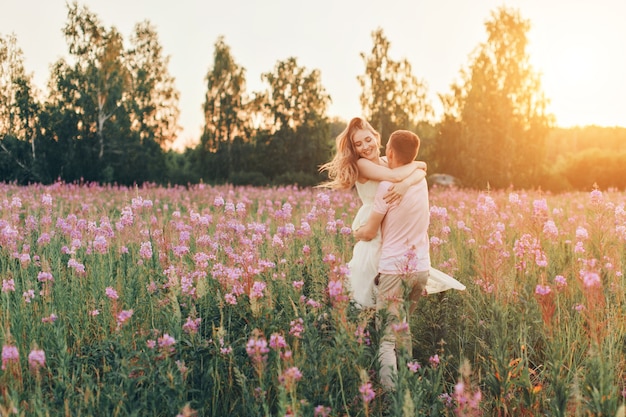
(577,46)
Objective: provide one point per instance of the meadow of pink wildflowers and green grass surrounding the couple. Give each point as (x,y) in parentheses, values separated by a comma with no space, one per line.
(231,301)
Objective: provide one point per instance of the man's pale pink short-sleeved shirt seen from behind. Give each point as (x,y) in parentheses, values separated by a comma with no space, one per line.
(405,231)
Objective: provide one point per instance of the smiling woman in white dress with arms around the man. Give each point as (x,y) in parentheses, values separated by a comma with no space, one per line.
(358,163)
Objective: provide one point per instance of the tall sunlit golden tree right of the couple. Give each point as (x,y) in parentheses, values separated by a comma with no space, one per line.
(495,122)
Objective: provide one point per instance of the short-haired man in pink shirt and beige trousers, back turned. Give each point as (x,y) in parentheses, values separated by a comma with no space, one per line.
(405,259)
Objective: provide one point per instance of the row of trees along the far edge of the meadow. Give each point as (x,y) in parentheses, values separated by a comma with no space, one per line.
(110,114)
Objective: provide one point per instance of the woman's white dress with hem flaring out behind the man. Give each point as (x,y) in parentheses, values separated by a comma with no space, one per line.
(363,266)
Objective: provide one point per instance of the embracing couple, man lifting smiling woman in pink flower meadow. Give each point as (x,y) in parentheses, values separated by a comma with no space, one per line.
(391,259)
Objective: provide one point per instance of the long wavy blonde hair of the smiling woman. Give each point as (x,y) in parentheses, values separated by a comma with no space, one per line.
(342,169)
